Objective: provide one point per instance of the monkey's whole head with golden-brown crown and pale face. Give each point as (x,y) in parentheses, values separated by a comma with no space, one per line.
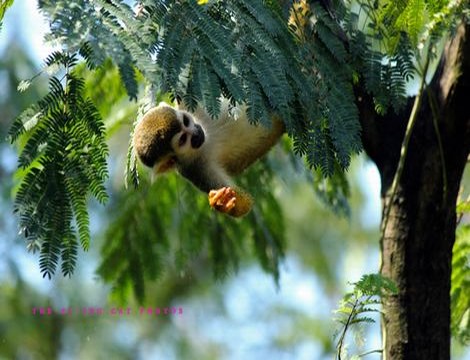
(167,136)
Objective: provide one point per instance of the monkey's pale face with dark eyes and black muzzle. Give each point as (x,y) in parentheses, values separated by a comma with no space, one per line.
(186,143)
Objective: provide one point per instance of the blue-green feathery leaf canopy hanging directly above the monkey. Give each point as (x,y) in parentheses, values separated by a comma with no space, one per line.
(242,50)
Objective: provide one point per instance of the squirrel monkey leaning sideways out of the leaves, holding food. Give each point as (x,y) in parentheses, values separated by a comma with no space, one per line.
(205,151)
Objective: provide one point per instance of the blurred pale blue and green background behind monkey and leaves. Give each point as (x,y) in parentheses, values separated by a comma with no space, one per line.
(243,315)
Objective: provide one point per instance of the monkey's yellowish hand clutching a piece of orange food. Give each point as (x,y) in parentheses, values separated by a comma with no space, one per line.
(230,201)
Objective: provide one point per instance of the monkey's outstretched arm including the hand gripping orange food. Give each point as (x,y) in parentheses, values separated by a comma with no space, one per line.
(222,195)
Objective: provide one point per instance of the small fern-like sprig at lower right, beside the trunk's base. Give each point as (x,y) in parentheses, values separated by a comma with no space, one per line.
(365,298)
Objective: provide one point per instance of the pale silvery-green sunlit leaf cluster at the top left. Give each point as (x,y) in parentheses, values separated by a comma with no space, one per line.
(110,30)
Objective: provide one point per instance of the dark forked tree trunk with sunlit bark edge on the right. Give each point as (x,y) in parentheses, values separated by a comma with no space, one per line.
(420,232)
